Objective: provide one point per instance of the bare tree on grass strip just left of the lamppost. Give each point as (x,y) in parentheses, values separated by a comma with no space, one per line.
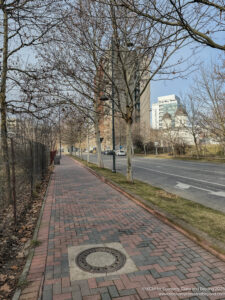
(73,70)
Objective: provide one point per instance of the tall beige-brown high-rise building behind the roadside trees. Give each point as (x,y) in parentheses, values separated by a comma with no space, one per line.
(138,79)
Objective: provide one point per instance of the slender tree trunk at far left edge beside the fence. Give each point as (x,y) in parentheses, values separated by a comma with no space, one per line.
(4,142)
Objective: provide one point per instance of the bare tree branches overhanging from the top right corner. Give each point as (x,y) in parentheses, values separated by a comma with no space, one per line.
(202,20)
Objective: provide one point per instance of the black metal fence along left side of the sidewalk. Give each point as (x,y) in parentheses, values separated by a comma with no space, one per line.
(28,164)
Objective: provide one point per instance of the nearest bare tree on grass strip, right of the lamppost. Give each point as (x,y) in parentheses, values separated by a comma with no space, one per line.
(140,52)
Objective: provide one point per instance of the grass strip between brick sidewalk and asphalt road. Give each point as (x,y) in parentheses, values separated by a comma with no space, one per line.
(205,219)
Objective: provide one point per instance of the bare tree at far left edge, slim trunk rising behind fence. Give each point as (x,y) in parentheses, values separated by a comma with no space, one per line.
(25,24)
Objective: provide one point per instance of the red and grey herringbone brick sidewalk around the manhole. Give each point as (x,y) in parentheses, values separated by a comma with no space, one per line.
(82,210)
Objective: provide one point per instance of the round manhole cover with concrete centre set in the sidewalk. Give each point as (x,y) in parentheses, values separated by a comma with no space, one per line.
(100,260)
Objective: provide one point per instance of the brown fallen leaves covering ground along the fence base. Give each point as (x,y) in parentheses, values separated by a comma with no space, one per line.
(16,244)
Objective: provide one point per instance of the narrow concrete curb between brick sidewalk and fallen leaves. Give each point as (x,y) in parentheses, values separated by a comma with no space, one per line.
(26,268)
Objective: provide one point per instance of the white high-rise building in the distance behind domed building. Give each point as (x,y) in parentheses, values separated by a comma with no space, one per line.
(166,104)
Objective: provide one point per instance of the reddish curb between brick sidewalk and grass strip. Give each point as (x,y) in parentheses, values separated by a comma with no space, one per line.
(161,215)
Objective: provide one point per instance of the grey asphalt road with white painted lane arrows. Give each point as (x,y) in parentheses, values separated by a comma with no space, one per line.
(198,181)
